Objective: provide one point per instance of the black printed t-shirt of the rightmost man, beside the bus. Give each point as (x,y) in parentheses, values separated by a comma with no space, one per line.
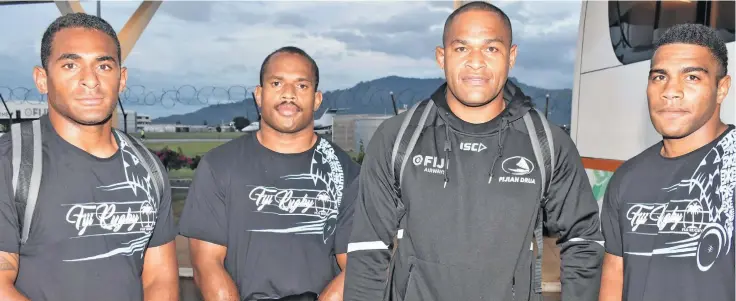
(672,221)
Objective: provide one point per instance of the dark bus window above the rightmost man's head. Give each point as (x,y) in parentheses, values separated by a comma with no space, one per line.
(635,25)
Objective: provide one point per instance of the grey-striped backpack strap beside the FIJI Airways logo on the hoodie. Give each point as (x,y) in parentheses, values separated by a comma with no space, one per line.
(409,132)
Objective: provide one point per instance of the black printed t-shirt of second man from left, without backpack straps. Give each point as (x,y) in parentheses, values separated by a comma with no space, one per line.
(283,217)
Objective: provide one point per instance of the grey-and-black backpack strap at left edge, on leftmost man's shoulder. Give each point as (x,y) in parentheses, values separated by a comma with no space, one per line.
(27,168)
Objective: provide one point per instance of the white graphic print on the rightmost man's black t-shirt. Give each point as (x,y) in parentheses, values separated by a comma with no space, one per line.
(698,219)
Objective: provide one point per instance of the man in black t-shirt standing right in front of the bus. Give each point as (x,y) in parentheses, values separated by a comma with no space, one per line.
(668,213)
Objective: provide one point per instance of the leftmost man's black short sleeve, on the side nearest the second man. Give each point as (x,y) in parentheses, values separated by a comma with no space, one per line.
(165,229)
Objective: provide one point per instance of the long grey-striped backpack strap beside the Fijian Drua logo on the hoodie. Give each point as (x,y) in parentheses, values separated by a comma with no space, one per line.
(543,145)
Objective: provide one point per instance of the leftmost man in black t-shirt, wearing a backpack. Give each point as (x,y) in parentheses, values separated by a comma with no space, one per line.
(100,231)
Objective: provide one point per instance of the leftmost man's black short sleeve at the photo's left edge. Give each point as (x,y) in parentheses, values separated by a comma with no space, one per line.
(9,229)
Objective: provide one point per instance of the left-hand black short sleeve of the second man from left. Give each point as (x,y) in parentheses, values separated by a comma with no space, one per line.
(205,212)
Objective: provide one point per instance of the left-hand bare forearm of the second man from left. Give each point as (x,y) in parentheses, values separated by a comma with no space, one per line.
(214,282)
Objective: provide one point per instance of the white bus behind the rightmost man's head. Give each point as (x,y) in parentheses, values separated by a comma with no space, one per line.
(610,120)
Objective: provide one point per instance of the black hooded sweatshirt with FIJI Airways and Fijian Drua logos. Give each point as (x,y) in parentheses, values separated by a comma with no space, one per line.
(465,217)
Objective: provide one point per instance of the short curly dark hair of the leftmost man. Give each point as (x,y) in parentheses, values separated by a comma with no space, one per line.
(75,20)
